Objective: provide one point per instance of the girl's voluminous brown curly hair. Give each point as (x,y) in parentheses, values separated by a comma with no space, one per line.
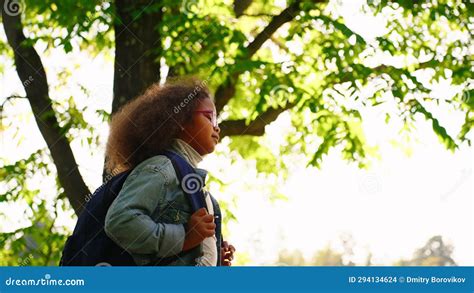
(147,125)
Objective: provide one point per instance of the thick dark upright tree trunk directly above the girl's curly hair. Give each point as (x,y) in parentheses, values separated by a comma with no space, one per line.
(137,48)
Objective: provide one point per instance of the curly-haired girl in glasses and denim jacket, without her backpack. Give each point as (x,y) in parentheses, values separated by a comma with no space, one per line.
(151,217)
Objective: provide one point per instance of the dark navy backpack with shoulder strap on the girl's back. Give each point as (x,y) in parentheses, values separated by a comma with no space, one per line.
(89,245)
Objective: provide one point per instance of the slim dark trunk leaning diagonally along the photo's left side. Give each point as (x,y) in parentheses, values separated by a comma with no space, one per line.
(33,76)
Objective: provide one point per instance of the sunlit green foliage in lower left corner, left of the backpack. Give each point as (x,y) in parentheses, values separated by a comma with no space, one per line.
(39,239)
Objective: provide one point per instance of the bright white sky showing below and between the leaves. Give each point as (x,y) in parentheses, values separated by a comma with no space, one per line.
(390,210)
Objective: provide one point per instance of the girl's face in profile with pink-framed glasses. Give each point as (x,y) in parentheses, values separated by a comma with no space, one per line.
(202,132)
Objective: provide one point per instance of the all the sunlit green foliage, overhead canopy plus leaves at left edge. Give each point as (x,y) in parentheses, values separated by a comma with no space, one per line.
(316,62)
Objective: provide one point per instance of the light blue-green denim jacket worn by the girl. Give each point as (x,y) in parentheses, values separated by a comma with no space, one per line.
(147,217)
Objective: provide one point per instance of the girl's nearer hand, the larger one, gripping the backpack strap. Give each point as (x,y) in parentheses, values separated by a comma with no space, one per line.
(200,225)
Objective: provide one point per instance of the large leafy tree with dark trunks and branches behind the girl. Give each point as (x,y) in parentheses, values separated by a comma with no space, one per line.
(260,60)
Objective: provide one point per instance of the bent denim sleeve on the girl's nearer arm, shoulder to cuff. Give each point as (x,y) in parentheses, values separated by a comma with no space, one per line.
(128,221)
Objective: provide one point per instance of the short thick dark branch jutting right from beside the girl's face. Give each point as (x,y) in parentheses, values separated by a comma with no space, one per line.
(256,127)
